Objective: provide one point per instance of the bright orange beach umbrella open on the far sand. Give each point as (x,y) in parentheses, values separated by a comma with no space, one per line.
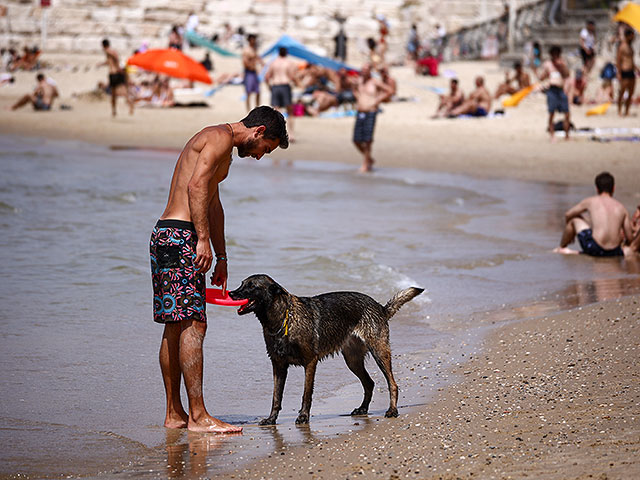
(171,62)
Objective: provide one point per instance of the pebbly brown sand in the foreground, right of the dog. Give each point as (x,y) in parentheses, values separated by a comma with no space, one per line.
(550,397)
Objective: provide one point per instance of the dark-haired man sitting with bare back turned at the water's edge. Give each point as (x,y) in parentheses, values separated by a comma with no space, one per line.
(599,233)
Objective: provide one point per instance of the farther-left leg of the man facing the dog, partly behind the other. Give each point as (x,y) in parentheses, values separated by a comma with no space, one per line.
(176,417)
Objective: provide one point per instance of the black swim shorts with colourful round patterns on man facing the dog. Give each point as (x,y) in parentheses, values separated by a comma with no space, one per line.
(178,287)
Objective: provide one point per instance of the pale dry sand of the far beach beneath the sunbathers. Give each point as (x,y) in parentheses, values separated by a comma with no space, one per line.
(513,146)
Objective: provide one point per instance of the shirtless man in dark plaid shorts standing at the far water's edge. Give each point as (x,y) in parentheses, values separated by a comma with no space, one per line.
(369,93)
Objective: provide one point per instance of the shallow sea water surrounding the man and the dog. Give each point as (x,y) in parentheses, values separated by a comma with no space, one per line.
(81,387)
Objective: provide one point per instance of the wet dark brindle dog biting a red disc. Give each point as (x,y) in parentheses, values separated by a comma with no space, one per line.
(304,330)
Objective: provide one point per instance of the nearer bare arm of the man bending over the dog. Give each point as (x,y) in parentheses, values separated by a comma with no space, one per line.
(199,197)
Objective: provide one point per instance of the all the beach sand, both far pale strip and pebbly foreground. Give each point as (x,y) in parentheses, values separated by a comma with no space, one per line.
(546,397)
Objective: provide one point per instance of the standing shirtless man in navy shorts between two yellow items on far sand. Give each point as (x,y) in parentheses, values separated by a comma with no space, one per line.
(556,71)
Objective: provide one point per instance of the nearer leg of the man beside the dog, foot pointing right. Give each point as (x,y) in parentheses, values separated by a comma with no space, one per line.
(191,363)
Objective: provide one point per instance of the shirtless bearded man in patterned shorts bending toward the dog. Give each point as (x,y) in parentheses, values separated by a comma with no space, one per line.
(180,247)
